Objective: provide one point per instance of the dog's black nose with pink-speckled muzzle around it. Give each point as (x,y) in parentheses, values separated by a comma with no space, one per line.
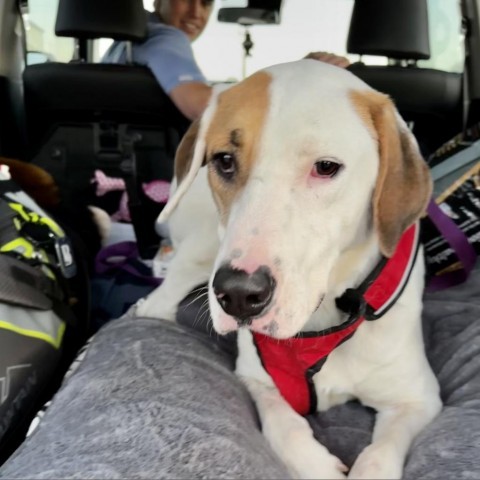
(243,295)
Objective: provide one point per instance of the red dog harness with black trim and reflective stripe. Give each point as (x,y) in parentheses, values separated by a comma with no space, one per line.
(293,362)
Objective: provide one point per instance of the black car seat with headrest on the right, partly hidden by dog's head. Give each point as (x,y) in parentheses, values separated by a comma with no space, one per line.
(429,100)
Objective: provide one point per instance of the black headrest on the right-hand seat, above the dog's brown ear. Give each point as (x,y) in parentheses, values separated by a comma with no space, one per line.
(392,28)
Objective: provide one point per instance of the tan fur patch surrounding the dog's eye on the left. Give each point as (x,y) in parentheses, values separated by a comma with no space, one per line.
(236,128)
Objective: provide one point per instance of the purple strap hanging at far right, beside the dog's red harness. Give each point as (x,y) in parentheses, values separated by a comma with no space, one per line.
(460,244)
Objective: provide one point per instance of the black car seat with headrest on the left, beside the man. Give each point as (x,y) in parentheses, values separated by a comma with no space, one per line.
(83,116)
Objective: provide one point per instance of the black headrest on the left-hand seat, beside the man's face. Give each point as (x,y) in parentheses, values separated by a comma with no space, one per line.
(117,19)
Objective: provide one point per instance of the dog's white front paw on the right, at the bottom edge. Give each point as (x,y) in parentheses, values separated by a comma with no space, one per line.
(377,462)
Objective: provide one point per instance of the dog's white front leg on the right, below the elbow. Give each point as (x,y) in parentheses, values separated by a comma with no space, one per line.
(394,431)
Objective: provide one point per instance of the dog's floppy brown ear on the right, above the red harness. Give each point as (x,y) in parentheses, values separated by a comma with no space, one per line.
(404,185)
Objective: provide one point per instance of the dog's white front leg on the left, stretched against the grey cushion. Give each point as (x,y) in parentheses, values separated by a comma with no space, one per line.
(287,432)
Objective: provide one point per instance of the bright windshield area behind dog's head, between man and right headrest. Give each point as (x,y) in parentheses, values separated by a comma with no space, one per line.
(306,25)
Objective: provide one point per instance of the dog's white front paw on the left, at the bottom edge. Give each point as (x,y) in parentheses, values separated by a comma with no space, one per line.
(306,458)
